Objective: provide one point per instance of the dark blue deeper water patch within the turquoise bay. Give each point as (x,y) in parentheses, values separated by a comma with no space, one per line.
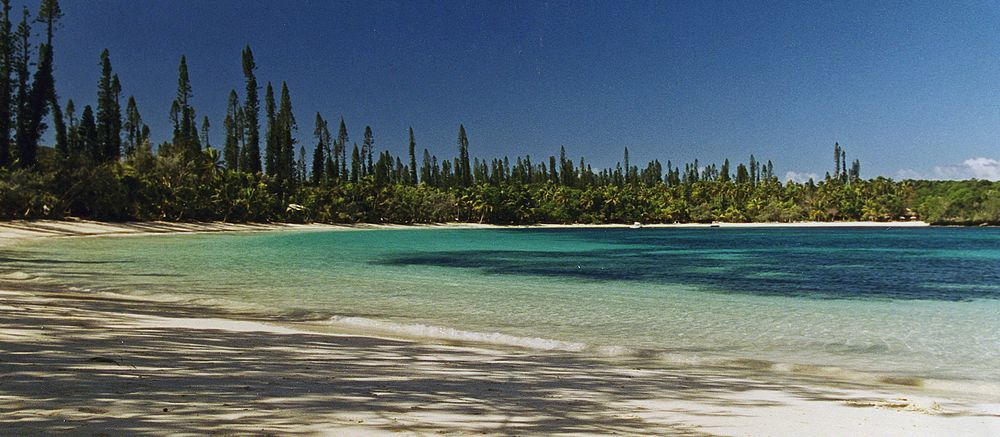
(953,264)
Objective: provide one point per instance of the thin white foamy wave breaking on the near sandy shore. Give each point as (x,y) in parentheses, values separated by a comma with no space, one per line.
(451,334)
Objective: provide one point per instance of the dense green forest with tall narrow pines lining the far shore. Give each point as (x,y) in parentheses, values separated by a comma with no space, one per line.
(103,166)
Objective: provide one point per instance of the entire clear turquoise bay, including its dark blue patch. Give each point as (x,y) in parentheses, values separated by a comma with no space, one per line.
(915,303)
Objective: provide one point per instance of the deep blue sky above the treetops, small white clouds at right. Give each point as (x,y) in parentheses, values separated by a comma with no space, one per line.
(912,89)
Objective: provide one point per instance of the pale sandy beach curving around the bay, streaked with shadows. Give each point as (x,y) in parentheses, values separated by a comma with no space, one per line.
(97,364)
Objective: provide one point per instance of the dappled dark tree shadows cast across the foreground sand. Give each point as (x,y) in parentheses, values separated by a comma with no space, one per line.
(71,363)
